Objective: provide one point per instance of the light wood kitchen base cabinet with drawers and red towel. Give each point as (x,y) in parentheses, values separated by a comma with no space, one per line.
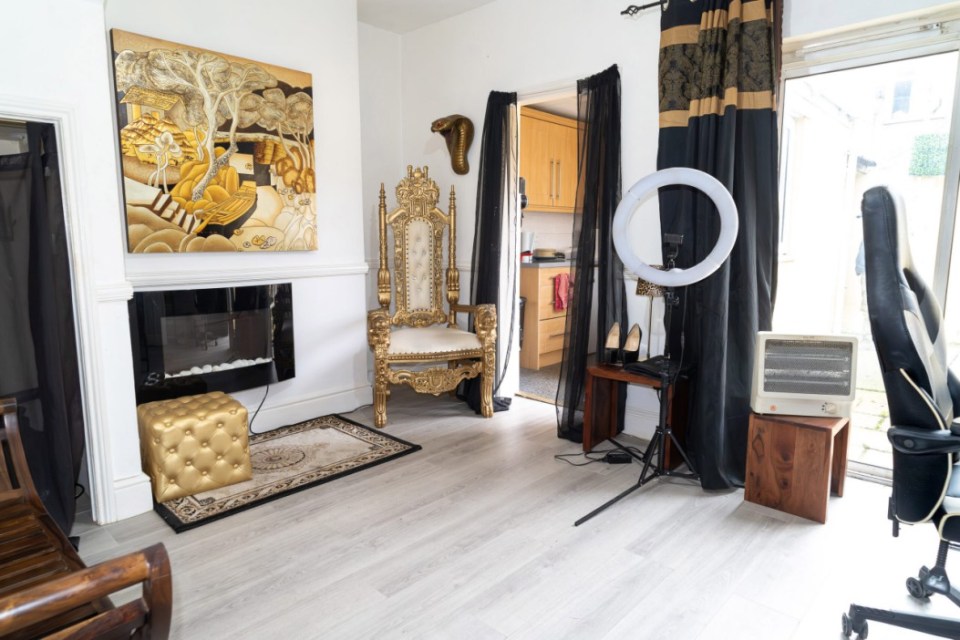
(543,325)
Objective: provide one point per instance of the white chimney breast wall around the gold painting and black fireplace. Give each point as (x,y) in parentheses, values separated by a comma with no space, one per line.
(328,284)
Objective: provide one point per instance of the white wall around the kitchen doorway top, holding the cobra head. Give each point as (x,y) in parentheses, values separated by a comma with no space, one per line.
(525,46)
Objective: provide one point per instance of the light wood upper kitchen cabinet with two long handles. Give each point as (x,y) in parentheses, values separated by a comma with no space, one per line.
(548,160)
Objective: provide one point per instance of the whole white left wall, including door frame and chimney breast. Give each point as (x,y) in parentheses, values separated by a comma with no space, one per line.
(62,73)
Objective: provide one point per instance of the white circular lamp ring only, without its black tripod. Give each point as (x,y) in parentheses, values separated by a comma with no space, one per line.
(676,277)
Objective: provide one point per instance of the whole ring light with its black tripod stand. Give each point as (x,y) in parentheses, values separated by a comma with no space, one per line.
(654,463)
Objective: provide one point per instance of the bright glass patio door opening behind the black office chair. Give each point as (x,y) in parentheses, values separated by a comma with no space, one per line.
(843,132)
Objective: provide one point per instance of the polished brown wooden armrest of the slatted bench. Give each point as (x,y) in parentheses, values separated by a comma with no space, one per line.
(151,613)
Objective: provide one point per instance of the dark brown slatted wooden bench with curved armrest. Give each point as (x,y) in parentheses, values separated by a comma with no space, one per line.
(45,588)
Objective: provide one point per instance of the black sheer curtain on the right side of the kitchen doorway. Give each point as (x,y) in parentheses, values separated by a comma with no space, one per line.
(598,194)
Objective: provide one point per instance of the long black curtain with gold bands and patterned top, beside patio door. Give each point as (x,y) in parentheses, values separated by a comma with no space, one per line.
(718,74)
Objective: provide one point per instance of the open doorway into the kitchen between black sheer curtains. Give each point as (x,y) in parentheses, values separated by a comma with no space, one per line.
(548,160)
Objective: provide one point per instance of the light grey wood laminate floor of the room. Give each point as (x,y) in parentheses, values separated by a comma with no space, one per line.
(473,538)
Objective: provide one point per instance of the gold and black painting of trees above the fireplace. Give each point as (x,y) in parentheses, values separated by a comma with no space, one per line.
(217,151)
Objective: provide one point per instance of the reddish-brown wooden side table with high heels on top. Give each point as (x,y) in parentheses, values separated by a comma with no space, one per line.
(600,406)
